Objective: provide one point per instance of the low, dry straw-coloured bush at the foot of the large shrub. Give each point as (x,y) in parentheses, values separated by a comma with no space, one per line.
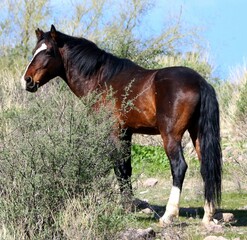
(93,217)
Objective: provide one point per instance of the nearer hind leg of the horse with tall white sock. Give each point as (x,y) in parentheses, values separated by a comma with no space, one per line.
(173,148)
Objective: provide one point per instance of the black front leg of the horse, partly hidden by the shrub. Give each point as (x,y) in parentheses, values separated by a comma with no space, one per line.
(123,169)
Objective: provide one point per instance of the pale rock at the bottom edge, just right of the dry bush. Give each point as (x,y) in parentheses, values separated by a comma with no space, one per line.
(137,234)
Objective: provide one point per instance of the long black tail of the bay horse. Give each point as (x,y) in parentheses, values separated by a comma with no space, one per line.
(209,137)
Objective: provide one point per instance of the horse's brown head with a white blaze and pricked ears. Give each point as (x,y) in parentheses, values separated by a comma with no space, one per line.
(46,62)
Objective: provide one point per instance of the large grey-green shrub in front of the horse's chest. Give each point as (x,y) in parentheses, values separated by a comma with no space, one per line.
(54,148)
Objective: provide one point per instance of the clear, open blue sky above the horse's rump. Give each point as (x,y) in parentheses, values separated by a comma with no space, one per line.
(223,27)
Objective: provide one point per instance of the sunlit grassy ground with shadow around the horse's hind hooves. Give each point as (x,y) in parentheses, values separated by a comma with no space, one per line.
(188,226)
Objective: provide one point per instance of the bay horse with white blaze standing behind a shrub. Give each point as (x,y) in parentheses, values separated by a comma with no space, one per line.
(166,101)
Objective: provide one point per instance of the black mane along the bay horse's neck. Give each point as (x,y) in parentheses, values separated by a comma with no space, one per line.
(88,58)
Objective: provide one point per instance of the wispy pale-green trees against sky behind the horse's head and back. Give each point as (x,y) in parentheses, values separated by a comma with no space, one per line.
(122,33)
